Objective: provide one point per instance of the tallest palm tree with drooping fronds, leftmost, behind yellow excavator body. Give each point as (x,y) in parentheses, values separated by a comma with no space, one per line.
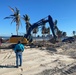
(15,17)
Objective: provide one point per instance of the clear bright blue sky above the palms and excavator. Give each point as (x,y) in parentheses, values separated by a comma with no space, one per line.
(64,11)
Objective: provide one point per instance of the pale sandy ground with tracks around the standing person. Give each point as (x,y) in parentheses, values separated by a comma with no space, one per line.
(60,60)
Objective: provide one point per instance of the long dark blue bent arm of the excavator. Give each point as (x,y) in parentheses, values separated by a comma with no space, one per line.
(40,23)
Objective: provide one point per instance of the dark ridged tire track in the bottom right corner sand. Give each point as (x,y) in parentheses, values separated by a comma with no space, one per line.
(65,70)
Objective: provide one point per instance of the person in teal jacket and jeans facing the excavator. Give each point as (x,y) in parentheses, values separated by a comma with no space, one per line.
(19,48)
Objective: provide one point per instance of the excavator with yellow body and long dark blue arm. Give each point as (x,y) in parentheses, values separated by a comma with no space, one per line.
(28,37)
